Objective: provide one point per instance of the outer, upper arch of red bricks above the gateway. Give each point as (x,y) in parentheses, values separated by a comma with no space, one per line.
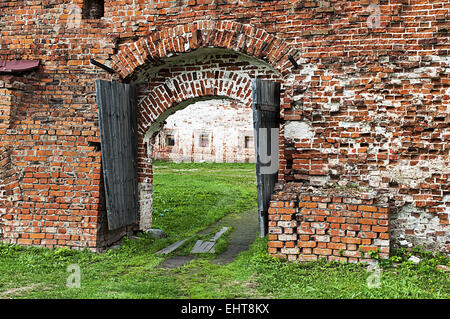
(232,35)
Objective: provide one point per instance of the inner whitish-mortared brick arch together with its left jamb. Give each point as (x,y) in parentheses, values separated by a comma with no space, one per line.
(163,100)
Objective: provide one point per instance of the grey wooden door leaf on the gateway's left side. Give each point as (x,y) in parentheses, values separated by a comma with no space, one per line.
(117,121)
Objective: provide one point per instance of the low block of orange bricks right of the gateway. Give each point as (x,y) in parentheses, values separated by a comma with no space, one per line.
(333,227)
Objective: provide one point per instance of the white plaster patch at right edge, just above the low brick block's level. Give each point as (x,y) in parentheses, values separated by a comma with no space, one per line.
(405,174)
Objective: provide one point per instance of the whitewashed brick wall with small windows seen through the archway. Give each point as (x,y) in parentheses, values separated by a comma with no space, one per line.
(225,125)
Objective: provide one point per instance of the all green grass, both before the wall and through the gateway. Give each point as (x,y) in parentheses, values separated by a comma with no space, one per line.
(188,198)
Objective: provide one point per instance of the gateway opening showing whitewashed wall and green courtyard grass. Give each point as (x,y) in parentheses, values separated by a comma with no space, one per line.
(202,169)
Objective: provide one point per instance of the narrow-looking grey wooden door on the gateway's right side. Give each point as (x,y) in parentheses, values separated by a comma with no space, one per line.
(266,123)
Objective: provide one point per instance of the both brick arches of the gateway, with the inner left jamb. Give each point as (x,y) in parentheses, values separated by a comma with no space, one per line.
(152,51)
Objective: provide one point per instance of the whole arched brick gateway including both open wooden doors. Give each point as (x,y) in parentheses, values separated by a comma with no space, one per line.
(169,70)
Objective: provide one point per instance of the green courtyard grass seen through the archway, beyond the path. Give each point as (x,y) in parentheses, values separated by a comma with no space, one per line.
(191,196)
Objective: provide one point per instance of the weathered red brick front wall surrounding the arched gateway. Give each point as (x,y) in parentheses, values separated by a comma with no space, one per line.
(368,104)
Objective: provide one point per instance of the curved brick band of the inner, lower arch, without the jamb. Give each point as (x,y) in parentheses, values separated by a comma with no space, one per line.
(191,86)
